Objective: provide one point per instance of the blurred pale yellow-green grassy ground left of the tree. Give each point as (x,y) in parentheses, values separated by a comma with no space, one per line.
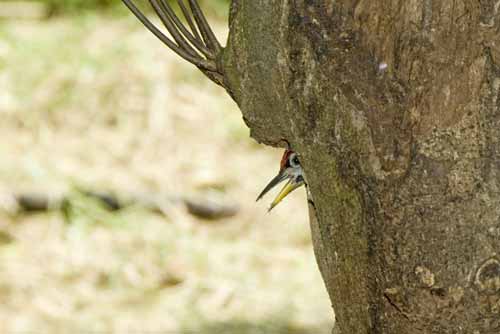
(89,100)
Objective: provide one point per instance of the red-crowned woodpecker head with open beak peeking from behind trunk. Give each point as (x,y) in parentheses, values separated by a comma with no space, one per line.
(291,170)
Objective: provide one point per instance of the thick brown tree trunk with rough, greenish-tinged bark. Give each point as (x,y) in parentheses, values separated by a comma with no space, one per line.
(393,108)
